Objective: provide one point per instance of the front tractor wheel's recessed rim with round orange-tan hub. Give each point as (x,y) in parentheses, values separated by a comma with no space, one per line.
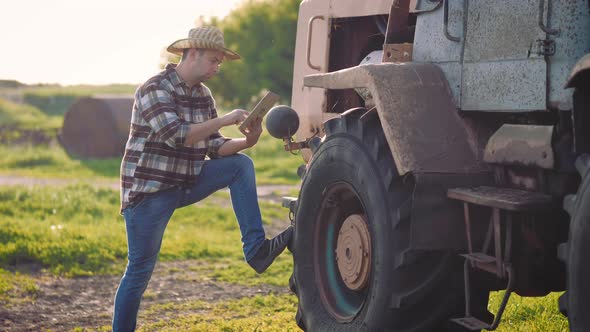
(342,254)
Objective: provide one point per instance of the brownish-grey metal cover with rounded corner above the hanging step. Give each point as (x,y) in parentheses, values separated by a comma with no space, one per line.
(525,145)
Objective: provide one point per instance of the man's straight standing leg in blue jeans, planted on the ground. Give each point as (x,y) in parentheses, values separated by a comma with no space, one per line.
(145,223)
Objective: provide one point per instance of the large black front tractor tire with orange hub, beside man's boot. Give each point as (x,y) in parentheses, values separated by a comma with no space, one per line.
(353,269)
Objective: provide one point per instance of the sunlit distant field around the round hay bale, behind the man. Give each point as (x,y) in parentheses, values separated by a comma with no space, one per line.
(26,123)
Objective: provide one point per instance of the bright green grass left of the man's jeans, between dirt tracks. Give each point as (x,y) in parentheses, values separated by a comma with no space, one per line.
(71,231)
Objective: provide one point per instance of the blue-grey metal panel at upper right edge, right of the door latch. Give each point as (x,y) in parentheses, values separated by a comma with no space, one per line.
(572,19)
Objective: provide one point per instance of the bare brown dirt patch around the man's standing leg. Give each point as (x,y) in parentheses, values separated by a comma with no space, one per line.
(63,304)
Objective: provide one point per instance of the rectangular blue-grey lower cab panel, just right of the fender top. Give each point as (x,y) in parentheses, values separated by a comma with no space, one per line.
(518,85)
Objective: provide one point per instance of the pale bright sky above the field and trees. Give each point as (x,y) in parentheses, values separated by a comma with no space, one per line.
(94,42)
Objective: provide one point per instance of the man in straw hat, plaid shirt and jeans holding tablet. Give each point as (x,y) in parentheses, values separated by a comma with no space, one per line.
(174,126)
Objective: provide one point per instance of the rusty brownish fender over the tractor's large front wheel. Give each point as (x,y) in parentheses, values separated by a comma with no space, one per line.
(417,112)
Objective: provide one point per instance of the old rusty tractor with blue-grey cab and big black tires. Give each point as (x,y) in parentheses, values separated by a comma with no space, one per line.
(446,150)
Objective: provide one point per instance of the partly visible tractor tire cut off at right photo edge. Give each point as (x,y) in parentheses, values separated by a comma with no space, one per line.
(575,302)
